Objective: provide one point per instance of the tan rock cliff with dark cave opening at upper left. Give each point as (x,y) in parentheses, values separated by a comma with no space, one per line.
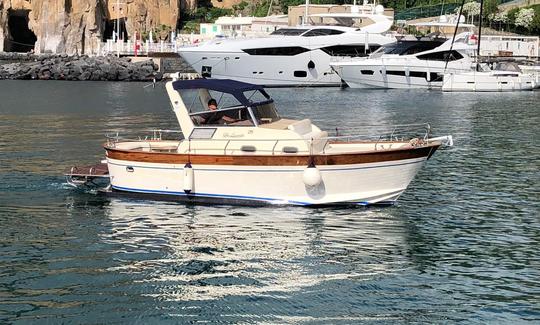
(78,26)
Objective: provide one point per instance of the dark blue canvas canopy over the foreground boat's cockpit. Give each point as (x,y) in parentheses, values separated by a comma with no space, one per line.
(233,87)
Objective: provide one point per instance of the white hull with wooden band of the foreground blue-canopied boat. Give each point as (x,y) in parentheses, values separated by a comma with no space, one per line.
(363,179)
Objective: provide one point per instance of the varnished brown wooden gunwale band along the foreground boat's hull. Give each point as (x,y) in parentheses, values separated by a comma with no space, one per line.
(273,160)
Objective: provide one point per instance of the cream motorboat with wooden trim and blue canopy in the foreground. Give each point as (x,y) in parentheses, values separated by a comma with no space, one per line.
(246,153)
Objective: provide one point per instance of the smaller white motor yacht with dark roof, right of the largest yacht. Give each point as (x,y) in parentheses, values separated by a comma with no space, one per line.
(408,64)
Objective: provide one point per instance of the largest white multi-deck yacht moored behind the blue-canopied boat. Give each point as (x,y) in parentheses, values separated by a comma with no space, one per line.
(293,56)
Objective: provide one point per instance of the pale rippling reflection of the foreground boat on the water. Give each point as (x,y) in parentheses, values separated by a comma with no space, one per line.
(211,252)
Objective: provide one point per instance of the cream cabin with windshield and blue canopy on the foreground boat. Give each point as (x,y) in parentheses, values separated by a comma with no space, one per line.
(240,113)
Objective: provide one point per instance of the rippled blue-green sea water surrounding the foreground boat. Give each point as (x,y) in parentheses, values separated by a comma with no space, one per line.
(462,244)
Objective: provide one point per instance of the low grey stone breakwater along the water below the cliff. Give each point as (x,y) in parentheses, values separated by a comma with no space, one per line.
(77,67)
